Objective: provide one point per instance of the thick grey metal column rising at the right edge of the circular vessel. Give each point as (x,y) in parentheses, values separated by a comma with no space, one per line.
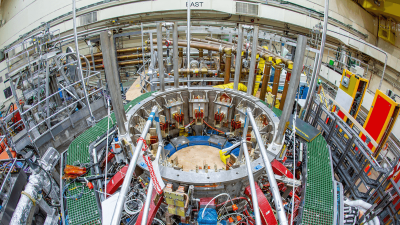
(294,83)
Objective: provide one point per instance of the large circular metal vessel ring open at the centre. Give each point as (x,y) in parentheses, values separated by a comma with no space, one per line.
(211,182)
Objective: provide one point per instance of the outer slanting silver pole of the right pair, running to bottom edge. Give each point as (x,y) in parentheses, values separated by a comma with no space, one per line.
(270,173)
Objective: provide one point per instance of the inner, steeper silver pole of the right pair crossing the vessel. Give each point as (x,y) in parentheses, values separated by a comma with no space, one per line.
(250,175)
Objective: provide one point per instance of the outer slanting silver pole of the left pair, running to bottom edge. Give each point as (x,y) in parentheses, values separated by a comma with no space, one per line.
(127,181)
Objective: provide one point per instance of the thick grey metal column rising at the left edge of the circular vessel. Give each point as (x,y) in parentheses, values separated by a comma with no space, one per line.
(111,71)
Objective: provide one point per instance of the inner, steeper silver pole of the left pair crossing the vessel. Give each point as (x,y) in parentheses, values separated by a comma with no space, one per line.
(151,186)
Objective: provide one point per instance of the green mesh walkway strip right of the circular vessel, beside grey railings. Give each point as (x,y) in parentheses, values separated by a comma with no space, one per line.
(318,201)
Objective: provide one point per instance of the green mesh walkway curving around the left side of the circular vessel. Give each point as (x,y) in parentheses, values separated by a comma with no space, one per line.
(85,210)
